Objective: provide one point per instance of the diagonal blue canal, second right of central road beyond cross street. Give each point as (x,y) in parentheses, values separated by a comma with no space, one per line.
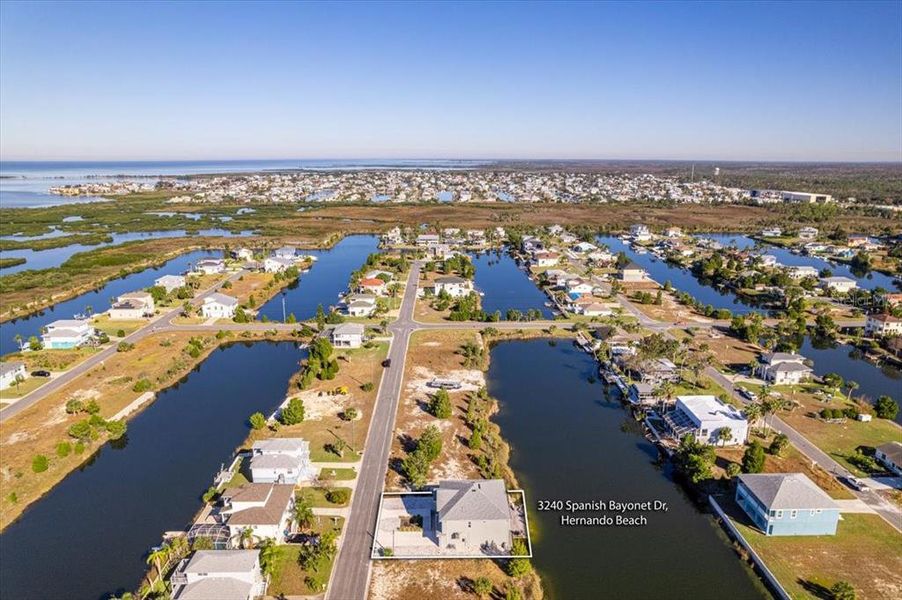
(681,279)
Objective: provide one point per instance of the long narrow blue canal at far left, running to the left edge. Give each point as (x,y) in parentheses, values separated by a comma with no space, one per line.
(99,300)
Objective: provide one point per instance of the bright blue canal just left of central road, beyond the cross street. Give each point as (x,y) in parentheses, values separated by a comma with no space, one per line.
(324,282)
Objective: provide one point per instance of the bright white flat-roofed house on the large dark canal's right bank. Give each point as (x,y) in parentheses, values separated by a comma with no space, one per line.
(708,419)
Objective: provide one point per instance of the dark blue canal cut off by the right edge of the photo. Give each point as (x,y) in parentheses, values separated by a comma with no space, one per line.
(873,381)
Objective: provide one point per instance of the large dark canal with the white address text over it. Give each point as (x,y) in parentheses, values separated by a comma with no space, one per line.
(569,441)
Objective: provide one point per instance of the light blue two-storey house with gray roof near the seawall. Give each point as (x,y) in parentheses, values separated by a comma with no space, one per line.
(787,504)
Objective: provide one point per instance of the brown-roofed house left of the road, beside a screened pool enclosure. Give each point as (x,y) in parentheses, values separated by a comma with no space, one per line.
(265,508)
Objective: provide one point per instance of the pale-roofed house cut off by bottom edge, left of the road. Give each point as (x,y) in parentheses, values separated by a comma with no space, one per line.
(219,574)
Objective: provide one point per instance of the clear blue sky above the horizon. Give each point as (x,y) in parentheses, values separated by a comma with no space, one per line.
(727,81)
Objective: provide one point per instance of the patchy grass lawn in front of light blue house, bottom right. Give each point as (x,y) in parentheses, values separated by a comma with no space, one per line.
(866,551)
